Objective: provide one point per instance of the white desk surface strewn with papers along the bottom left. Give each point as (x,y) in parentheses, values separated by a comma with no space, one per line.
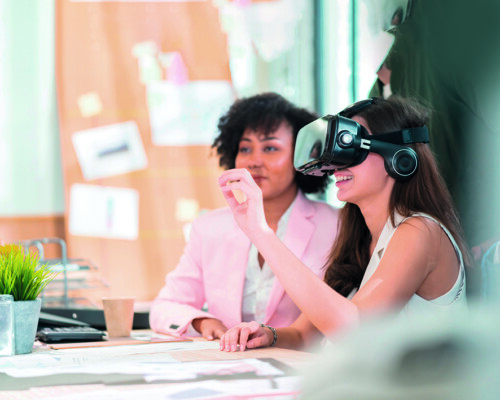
(58,383)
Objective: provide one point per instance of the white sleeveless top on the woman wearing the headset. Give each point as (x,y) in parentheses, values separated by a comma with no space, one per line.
(455,298)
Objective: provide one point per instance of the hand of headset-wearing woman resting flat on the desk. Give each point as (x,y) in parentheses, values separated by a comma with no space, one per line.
(247,335)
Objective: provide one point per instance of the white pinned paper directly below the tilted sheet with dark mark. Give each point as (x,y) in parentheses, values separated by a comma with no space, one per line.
(103,211)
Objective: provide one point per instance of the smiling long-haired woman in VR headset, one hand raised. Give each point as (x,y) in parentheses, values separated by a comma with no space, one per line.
(400,246)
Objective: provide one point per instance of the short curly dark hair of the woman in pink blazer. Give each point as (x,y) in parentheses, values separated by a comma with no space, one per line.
(264,112)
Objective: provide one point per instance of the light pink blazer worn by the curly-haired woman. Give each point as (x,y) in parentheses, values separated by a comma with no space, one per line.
(211,271)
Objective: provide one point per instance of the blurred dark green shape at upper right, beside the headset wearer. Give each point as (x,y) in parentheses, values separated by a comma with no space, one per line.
(442,55)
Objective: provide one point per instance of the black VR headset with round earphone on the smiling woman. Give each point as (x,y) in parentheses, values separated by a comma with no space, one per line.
(336,142)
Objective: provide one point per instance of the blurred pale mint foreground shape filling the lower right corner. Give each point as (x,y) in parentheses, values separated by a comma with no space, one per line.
(450,357)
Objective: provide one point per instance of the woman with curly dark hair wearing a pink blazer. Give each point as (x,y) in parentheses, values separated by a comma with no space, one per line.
(221,279)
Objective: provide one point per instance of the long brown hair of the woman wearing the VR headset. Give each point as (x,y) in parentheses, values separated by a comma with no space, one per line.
(425,192)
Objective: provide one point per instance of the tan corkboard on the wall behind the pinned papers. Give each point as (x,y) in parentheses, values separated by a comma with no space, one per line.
(93,54)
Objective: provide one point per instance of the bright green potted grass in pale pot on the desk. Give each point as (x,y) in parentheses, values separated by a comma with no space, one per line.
(23,277)
